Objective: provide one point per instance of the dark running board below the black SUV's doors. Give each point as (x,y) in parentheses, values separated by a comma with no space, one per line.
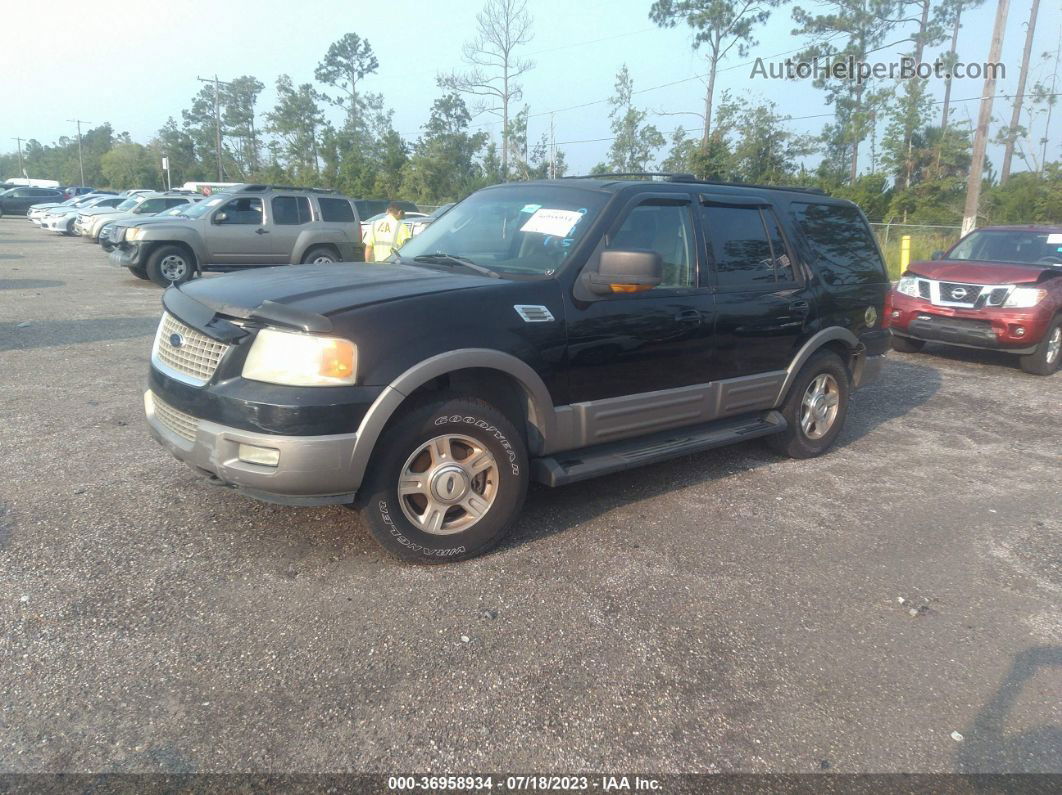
(615,457)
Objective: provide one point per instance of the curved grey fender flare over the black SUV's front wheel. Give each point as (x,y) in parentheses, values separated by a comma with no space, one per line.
(540,405)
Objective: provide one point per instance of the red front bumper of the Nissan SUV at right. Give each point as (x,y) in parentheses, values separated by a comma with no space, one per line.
(1012,331)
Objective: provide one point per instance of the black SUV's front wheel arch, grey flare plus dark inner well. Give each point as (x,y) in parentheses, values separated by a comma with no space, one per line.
(466,367)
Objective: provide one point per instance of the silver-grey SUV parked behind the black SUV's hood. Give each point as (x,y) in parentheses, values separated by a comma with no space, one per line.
(249,227)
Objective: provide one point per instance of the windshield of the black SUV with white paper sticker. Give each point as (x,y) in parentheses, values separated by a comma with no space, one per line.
(516,230)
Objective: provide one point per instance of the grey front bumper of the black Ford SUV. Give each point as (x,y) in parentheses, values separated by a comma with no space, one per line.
(312,471)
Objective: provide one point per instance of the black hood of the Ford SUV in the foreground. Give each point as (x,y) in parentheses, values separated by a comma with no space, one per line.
(317,291)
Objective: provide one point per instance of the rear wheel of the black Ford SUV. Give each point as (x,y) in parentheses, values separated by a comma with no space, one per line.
(815,409)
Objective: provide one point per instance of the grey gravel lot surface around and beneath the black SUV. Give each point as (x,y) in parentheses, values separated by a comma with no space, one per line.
(725,612)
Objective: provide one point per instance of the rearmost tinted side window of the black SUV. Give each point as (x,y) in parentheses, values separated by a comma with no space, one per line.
(844,251)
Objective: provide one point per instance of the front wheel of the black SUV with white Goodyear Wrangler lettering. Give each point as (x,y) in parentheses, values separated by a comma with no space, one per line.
(447,481)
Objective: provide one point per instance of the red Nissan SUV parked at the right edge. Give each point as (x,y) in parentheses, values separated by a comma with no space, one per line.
(999,288)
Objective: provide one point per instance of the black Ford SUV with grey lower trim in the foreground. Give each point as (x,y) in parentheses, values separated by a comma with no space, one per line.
(551,332)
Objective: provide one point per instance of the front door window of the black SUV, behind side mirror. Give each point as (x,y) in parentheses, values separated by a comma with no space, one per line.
(666,230)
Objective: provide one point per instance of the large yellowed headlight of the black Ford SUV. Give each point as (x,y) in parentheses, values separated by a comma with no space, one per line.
(301,360)
